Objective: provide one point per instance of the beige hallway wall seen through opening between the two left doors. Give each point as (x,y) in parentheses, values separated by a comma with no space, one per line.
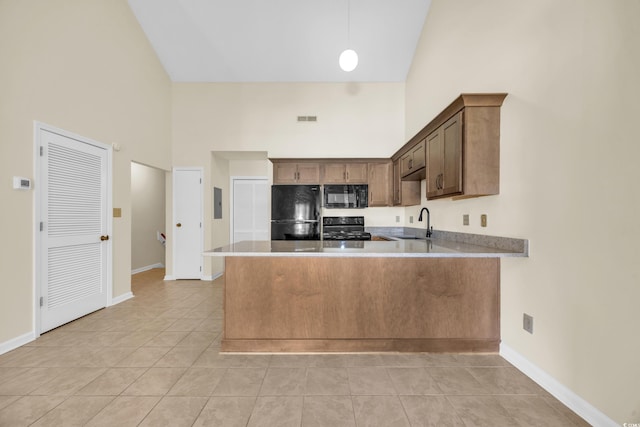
(147,215)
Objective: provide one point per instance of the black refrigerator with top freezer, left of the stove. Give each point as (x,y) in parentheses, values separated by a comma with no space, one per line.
(295,212)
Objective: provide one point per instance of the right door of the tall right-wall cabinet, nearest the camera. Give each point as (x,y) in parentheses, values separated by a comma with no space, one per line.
(451,181)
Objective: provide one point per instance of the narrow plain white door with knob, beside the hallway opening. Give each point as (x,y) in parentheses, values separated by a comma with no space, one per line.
(187,223)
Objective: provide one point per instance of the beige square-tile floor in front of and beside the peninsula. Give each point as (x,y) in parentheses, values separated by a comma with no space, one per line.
(154,361)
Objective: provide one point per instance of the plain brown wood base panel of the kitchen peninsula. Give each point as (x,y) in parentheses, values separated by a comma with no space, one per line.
(355,304)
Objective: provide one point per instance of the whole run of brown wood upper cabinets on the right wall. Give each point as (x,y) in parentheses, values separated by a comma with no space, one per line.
(462,146)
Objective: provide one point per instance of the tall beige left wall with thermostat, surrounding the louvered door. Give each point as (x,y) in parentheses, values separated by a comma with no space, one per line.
(86,67)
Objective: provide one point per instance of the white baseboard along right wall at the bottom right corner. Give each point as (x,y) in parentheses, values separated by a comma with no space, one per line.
(574,402)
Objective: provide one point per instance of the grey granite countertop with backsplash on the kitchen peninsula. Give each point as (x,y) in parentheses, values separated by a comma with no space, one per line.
(442,244)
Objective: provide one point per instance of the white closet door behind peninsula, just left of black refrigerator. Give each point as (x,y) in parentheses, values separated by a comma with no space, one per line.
(250,209)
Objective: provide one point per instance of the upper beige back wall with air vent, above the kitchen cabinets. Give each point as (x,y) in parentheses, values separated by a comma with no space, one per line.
(262,116)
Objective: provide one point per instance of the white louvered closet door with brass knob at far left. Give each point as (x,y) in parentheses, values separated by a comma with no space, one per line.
(74,214)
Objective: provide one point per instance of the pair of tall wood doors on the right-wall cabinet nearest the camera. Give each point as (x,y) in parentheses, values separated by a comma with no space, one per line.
(444,154)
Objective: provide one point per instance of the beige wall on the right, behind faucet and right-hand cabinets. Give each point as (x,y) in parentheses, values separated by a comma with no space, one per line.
(568,175)
